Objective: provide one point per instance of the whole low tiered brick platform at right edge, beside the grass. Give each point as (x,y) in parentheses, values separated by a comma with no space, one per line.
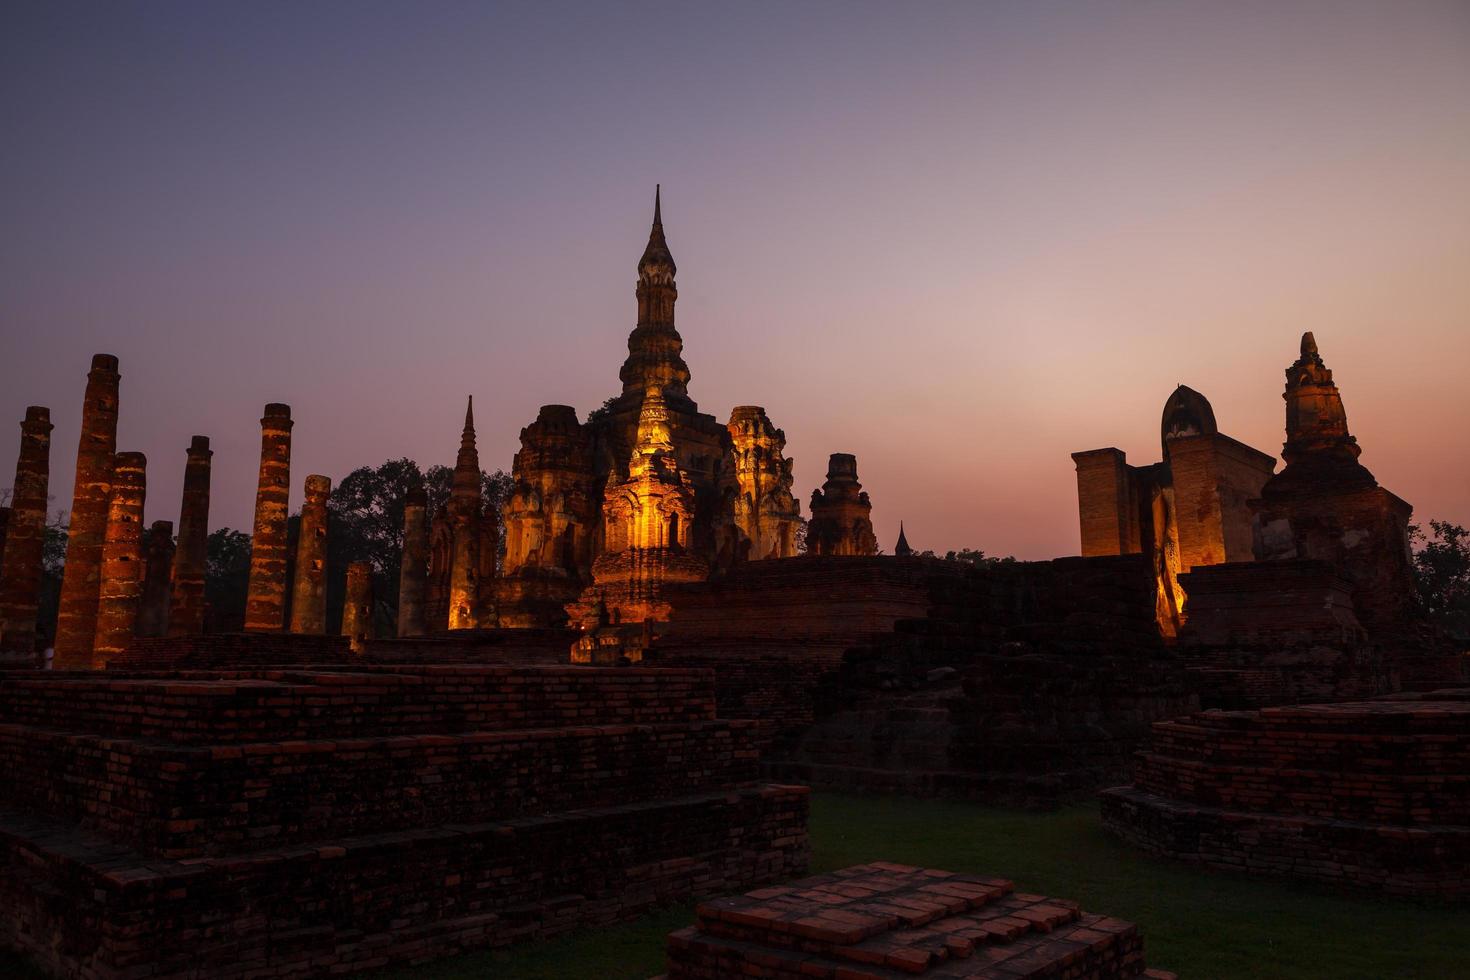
(1371,794)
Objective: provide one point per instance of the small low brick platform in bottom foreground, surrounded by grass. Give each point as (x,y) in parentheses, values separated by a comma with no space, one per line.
(884,922)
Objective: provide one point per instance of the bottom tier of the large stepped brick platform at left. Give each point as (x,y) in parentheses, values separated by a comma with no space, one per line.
(381,900)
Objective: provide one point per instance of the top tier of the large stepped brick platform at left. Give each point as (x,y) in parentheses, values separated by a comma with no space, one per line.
(399,700)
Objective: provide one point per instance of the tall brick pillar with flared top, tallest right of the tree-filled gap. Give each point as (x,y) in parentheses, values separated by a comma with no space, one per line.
(265,600)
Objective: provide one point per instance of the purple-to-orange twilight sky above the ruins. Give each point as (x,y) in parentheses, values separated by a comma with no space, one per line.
(958,240)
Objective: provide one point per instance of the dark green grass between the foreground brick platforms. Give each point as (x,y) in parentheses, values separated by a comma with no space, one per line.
(1202,925)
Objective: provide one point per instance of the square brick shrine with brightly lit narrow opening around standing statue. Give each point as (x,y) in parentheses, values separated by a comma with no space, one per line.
(1188,511)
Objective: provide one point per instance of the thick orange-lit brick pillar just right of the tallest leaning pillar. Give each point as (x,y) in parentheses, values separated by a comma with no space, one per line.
(121,588)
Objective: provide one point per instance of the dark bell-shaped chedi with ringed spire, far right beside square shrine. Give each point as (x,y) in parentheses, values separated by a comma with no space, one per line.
(1325,505)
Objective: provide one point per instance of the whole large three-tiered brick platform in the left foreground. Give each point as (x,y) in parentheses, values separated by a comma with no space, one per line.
(306,822)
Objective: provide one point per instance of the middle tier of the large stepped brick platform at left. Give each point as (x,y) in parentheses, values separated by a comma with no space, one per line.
(190,801)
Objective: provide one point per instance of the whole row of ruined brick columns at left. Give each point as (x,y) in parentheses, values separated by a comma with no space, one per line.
(120,584)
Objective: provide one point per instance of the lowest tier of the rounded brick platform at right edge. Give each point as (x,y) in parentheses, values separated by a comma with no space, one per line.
(1424,862)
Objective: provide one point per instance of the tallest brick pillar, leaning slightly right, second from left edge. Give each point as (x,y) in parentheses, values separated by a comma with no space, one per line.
(82,578)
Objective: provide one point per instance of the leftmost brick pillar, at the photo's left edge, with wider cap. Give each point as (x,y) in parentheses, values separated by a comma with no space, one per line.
(26,536)
